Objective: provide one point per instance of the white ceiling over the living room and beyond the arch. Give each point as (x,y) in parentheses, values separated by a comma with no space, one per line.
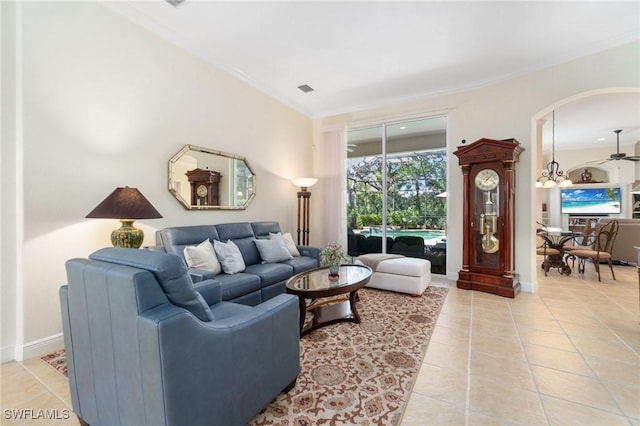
(363,54)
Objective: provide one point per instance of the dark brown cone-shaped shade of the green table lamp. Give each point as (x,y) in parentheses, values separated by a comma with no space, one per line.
(125,203)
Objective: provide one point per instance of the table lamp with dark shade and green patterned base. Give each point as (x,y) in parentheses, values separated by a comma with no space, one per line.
(125,204)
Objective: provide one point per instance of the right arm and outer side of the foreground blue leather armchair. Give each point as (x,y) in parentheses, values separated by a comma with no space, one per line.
(254,352)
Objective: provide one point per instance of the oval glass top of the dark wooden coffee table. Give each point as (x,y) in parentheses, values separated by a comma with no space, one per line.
(319,280)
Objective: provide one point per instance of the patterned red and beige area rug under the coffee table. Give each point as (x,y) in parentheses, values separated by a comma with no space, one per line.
(353,373)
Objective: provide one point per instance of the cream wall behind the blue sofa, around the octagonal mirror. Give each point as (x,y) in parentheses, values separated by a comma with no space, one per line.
(107,104)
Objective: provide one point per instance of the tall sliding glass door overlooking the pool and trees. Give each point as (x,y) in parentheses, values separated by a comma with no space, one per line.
(396,183)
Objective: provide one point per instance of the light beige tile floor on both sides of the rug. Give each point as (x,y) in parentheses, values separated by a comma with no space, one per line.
(566,355)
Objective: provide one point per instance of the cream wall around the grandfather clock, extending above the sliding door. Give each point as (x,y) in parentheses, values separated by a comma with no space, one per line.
(510,110)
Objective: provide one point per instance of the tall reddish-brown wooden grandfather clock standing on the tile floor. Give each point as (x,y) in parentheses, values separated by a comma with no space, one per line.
(488,172)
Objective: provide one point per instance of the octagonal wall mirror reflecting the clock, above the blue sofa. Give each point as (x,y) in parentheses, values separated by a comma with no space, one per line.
(203,179)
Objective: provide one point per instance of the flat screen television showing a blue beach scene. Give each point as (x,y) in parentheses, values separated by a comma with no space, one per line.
(590,201)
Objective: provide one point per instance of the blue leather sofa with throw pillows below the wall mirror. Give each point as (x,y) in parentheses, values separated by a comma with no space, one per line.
(259,281)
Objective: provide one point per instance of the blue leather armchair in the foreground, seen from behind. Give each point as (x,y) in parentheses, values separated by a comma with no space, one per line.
(145,346)
